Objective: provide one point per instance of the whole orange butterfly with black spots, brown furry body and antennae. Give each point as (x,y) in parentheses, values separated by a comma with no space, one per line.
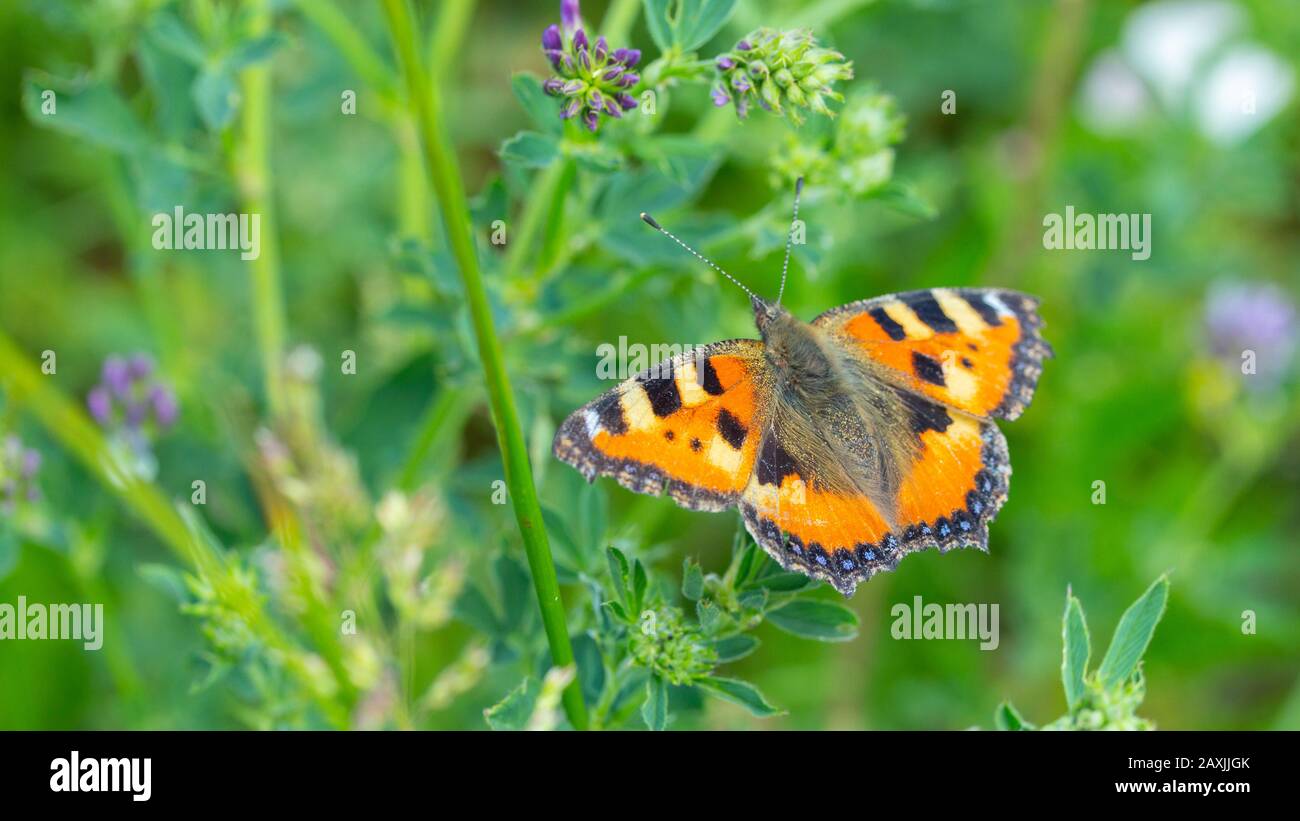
(847,442)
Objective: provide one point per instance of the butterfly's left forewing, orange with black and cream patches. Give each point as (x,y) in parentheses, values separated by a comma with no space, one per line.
(688,425)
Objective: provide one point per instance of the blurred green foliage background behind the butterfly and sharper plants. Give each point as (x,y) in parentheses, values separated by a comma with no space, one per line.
(1185,111)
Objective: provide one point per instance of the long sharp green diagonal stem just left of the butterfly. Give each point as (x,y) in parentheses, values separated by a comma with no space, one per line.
(445,180)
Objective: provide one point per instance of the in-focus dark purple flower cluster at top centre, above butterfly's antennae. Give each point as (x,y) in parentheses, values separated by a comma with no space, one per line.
(592,80)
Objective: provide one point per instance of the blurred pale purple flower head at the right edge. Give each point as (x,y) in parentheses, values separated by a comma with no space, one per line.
(1253,318)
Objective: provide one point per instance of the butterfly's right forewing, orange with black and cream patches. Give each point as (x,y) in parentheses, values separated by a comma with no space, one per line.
(977,350)
